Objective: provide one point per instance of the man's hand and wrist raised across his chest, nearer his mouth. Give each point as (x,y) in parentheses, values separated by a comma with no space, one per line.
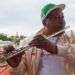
(40,42)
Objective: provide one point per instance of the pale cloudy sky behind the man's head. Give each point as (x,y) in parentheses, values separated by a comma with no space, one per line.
(23,16)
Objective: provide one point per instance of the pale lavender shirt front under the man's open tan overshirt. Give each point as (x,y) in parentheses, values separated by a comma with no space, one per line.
(52,64)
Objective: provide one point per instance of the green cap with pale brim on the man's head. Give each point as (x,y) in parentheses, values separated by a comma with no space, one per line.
(47,9)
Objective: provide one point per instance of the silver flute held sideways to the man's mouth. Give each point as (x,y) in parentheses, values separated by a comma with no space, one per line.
(22,49)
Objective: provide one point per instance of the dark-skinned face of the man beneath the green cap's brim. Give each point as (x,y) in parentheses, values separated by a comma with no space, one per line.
(55,20)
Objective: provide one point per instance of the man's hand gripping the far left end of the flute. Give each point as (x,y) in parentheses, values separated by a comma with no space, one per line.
(13,61)
